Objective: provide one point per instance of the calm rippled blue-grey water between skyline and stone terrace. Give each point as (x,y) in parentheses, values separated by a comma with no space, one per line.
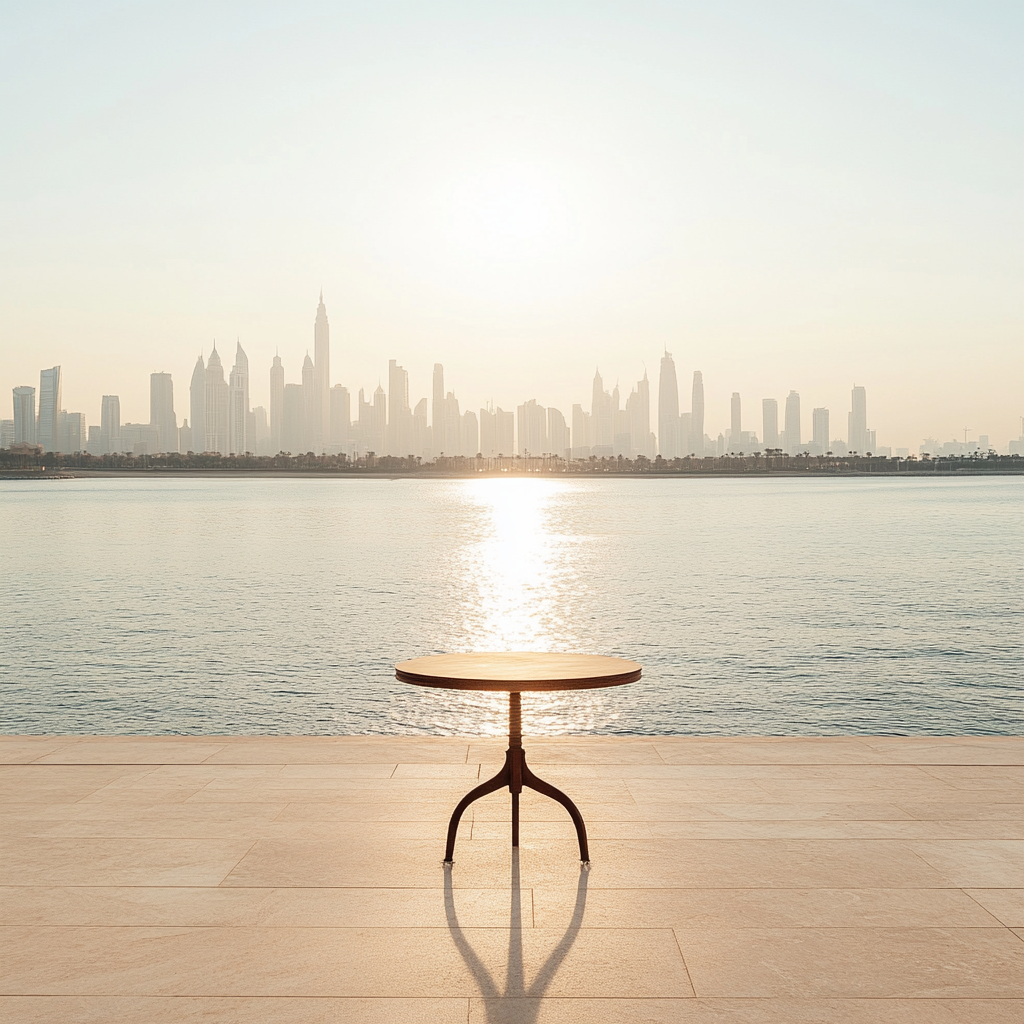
(278,606)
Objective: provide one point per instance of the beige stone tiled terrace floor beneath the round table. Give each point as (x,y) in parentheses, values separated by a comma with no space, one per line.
(301,880)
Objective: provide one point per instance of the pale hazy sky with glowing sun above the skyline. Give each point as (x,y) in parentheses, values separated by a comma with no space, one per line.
(786,195)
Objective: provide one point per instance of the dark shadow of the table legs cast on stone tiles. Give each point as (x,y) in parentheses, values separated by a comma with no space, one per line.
(516,984)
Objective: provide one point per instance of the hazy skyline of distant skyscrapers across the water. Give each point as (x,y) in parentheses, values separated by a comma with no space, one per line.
(313,416)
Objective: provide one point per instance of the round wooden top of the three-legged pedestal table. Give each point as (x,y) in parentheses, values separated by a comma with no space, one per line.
(518,672)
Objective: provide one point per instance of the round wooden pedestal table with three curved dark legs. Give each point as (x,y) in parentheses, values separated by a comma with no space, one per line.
(518,673)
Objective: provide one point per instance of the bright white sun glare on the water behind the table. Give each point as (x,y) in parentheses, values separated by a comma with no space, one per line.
(519,580)
